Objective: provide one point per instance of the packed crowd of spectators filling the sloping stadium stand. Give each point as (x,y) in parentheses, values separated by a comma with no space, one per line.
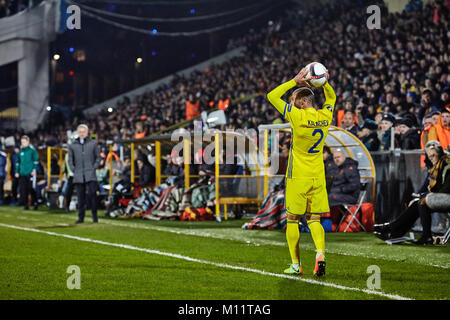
(393,77)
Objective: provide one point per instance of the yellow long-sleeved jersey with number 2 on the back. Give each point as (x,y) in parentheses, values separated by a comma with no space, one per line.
(309,130)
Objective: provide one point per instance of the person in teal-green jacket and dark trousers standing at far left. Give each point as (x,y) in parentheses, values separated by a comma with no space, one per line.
(26,166)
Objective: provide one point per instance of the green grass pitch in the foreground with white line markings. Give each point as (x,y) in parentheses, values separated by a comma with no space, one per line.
(142,259)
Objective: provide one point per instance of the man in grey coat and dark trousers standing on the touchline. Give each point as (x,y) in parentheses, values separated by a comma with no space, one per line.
(84,160)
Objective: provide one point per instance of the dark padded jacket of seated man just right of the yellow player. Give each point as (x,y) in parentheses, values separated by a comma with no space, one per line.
(347,179)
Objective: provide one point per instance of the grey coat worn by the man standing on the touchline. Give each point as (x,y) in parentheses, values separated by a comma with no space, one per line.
(84,160)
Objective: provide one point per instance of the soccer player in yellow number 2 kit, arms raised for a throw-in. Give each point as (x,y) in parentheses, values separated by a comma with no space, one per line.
(305,174)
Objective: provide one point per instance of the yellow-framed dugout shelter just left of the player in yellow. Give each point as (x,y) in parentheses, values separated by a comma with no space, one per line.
(246,188)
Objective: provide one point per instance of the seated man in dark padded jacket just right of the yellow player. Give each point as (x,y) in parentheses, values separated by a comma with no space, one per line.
(345,185)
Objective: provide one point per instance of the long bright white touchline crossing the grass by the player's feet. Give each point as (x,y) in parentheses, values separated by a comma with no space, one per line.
(216,264)
